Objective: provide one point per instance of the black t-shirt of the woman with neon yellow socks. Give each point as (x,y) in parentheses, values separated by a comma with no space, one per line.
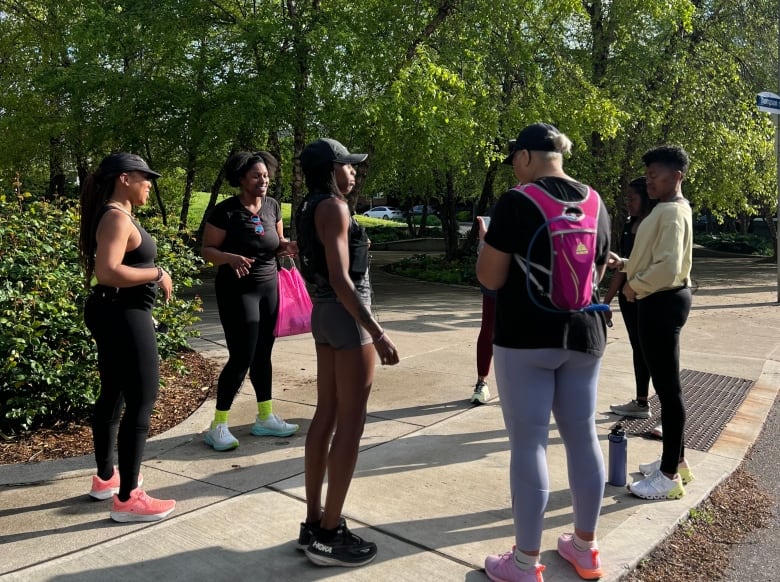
(242,239)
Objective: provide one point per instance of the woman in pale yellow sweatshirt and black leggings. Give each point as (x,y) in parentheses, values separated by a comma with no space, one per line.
(658,275)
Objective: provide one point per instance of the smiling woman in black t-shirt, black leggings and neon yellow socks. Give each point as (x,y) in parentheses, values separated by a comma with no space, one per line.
(243,236)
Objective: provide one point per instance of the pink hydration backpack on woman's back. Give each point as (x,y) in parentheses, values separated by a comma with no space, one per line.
(570,229)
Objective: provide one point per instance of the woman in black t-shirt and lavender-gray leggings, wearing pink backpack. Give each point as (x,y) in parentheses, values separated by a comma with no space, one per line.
(544,361)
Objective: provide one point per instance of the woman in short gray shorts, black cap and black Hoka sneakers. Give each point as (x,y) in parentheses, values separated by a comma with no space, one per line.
(334,259)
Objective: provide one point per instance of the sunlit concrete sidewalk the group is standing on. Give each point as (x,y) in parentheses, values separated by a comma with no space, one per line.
(431,487)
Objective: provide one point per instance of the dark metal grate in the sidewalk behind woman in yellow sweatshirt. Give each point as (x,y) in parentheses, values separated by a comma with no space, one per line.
(711,402)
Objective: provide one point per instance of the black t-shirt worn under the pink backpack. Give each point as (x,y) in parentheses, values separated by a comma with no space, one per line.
(520,323)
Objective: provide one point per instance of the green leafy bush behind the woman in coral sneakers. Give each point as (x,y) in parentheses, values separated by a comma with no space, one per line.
(47,357)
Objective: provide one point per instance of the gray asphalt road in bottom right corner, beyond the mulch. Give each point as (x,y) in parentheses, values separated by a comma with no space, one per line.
(757,558)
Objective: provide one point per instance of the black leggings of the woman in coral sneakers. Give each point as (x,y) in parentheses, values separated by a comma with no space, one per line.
(129,369)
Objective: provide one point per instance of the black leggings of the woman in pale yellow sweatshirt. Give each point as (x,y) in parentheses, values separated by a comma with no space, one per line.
(660,318)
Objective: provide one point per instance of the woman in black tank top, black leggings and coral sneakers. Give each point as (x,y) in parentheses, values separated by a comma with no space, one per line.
(118,259)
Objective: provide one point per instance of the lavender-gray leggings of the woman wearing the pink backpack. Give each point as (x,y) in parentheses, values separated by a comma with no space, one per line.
(531,383)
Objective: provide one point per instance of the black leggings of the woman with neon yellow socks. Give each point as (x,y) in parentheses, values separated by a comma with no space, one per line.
(247,310)
